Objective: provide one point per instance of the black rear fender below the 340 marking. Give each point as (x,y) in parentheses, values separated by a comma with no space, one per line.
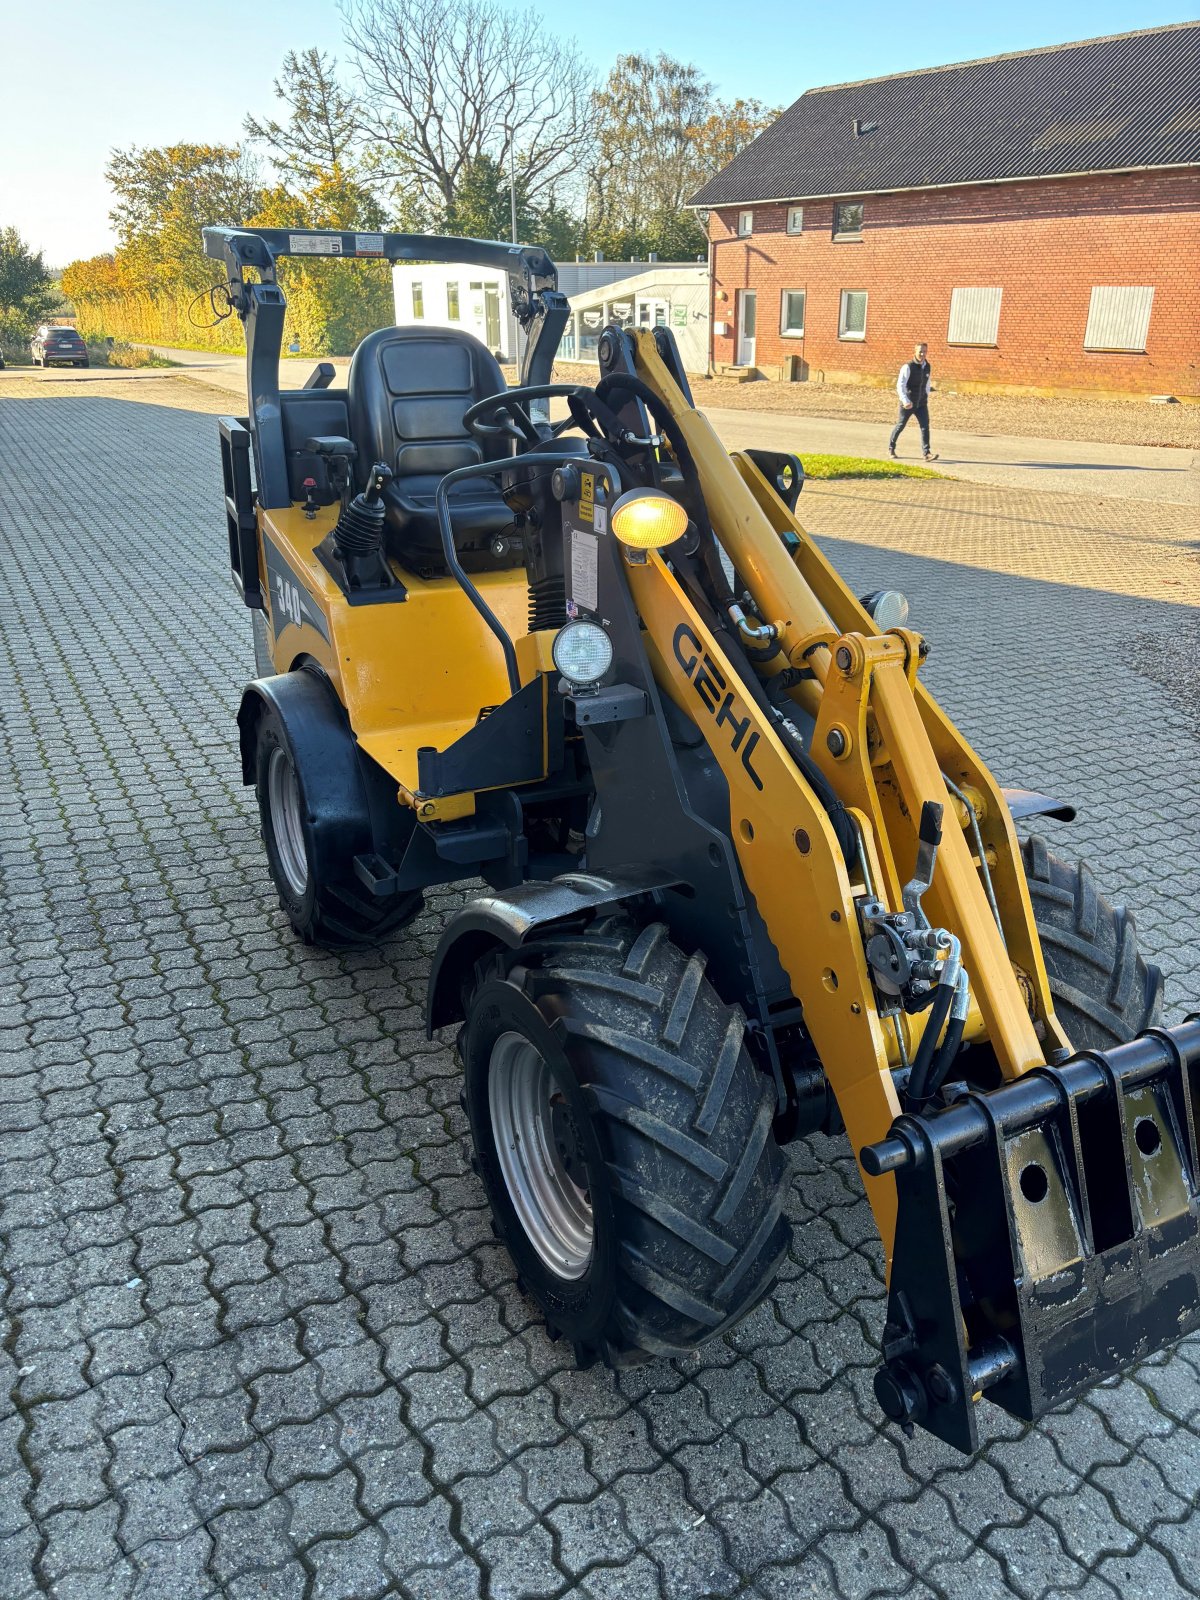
(327,762)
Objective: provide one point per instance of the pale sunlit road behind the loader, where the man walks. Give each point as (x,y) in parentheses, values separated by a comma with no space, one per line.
(1138,473)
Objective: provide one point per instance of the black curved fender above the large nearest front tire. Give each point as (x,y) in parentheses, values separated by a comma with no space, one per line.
(514,918)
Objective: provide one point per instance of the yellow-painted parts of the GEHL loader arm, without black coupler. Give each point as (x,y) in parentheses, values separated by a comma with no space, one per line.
(886,746)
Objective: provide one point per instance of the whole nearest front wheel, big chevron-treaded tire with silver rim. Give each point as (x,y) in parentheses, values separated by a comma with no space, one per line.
(623,1135)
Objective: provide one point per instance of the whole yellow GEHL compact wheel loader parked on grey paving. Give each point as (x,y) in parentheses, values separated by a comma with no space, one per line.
(743,878)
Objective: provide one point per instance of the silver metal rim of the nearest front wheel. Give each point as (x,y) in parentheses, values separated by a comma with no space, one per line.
(540,1156)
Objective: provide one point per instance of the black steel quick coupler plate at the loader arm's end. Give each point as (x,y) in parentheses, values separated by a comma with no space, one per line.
(1049,1234)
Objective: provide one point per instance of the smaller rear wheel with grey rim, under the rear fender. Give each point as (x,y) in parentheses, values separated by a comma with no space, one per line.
(330,906)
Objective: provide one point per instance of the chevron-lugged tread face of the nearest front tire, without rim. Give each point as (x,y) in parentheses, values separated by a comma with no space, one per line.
(684,1119)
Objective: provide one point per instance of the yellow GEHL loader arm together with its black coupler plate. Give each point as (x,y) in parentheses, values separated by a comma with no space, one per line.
(1041,1231)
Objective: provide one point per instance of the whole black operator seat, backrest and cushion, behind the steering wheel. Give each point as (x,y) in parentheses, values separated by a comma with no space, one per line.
(409,391)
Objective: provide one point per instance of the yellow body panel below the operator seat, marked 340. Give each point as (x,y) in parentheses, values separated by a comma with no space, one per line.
(410,674)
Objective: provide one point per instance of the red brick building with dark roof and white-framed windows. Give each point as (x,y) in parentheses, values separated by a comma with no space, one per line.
(1034,218)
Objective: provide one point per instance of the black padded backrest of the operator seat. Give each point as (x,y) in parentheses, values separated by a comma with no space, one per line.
(409,390)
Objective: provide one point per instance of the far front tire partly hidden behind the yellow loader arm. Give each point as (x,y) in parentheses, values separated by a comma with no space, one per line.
(1105,991)
